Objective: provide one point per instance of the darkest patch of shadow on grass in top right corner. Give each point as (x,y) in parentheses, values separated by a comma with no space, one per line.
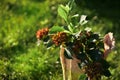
(104,8)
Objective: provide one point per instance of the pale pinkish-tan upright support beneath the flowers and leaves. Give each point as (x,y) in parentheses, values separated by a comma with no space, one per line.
(70,68)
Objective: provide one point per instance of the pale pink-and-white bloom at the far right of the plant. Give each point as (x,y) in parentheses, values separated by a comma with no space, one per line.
(109,43)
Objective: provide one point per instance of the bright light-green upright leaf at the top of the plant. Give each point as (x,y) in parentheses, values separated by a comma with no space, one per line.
(63,11)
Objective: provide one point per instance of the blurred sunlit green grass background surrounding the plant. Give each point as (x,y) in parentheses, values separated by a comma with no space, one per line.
(22,59)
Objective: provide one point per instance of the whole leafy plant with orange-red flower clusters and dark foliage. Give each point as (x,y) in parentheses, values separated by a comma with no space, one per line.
(87,46)
